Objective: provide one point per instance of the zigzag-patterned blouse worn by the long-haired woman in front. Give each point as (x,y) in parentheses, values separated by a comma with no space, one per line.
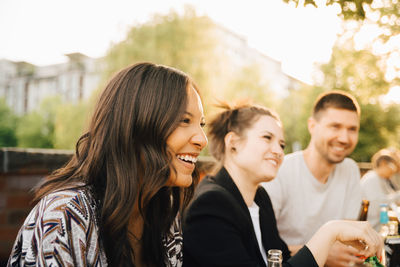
(62,230)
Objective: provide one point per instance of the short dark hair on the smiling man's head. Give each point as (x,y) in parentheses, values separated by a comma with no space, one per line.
(335,99)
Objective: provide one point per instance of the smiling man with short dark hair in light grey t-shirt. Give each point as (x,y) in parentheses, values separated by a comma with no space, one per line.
(320,183)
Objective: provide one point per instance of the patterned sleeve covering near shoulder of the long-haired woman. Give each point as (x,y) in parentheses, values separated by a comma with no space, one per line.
(59,222)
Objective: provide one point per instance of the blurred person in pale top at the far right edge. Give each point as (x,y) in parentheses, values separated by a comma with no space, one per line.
(377,186)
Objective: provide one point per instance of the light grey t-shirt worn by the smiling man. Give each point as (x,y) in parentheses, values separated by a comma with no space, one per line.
(302,204)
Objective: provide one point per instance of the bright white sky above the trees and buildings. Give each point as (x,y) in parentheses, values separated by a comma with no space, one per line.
(42,31)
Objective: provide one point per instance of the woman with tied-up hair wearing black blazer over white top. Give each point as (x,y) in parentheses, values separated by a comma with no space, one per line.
(231,222)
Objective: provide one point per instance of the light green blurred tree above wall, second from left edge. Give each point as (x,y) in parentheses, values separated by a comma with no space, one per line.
(36,129)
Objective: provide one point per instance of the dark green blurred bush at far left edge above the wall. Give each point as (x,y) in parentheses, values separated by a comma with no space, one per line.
(8,125)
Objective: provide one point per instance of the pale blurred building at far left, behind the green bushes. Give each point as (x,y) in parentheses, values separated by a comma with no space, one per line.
(24,85)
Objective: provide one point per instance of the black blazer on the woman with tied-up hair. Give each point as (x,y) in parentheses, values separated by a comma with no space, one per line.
(218,230)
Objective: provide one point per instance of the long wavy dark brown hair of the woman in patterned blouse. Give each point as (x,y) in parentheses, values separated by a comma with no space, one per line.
(123,158)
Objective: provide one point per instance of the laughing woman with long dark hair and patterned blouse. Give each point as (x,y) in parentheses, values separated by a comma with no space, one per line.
(118,200)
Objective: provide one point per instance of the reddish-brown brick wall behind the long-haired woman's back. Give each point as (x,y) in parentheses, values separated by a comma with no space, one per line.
(20,171)
